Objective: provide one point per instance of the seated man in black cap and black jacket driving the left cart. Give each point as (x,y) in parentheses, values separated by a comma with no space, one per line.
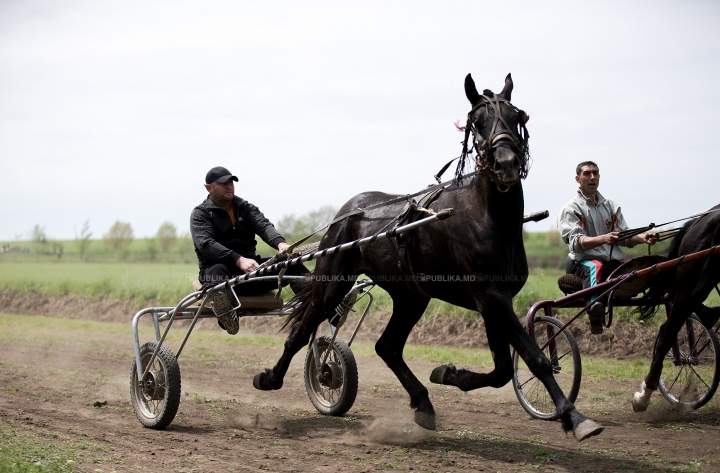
(223,229)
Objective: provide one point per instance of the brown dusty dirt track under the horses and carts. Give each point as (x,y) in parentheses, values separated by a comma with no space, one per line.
(50,380)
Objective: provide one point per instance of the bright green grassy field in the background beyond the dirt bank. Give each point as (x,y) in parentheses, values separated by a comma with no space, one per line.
(166,277)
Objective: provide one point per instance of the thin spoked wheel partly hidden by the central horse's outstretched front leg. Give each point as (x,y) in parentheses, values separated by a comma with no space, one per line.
(564,356)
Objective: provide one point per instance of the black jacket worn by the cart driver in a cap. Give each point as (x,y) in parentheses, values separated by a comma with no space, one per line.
(215,238)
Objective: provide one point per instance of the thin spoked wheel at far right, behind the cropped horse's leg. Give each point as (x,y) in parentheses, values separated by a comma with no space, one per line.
(690,369)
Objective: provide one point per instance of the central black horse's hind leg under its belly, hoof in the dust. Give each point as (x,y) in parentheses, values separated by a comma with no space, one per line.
(407,310)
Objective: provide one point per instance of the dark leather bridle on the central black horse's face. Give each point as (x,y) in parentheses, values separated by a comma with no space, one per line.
(484,148)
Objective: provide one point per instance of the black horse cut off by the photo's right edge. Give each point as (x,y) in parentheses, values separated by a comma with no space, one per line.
(687,287)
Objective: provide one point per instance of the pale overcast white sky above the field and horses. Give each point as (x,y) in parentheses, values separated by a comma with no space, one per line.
(116,110)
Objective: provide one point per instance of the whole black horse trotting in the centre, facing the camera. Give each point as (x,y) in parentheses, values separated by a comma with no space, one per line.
(474,260)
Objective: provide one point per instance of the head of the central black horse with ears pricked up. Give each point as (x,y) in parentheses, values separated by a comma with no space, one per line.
(500,138)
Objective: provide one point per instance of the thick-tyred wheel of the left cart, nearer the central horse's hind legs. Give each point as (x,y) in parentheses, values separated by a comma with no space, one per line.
(333,387)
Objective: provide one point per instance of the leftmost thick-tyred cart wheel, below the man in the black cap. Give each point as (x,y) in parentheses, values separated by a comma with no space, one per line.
(156,398)
